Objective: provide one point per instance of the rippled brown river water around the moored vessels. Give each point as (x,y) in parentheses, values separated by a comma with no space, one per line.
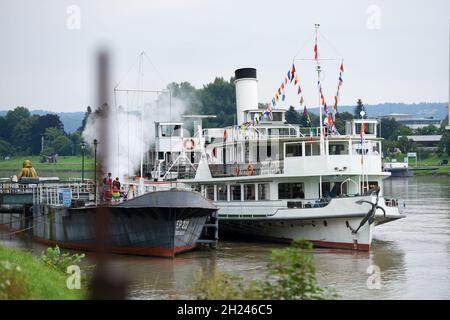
(412,254)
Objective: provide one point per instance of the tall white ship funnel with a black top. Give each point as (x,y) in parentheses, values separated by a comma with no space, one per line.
(246,92)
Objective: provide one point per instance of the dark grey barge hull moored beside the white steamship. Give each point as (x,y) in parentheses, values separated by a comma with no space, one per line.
(161,223)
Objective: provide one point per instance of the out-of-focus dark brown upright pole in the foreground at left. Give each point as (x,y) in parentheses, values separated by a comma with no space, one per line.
(105,284)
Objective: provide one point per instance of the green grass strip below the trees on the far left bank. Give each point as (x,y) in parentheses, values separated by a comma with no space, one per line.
(65,168)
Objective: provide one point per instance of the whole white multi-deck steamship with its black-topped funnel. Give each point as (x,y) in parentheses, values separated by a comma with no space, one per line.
(273,181)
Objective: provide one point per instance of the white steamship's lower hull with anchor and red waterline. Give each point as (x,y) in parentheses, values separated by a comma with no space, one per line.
(327,227)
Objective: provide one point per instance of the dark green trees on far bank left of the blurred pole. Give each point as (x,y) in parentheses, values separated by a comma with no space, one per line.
(21,133)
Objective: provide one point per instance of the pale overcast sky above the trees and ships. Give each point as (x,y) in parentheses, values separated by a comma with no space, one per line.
(394,51)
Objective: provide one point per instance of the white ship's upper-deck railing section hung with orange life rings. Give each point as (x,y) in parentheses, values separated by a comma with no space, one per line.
(268,167)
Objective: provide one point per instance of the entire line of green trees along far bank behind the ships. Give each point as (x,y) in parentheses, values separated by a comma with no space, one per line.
(21,133)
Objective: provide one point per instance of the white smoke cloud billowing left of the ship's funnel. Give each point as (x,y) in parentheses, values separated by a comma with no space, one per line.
(131,132)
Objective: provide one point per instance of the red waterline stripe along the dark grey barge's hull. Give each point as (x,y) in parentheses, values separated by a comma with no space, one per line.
(144,251)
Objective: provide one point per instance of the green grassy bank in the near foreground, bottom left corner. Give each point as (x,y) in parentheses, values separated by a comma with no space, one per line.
(25,276)
